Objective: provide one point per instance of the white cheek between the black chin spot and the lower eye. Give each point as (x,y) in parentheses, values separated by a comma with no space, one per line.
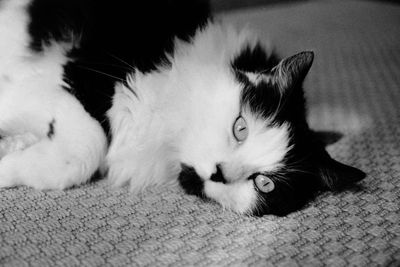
(240,196)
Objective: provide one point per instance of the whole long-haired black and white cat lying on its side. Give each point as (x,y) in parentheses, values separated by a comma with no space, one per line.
(178,96)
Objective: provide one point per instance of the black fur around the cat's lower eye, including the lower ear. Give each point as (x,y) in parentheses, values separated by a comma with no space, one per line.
(307,169)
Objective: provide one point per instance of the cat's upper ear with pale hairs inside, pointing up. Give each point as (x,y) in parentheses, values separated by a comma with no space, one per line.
(293,70)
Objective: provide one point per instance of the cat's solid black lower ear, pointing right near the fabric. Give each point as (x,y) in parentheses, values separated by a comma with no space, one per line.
(335,175)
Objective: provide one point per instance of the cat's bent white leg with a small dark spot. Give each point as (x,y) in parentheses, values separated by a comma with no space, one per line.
(49,141)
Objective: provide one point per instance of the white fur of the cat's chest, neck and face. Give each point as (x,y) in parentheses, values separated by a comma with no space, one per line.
(184,114)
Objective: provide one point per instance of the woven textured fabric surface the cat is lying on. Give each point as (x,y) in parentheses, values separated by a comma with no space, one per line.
(353,88)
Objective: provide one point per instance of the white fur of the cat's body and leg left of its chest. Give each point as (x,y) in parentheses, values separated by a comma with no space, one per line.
(32,97)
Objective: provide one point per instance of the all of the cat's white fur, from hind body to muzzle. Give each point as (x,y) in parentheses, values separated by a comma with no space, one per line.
(182,113)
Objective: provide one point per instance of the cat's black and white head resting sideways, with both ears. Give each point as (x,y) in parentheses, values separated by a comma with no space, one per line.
(250,148)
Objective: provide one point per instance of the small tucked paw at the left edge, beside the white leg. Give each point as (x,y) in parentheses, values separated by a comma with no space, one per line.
(10,144)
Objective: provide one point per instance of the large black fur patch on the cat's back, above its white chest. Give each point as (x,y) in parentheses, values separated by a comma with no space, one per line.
(114,38)
